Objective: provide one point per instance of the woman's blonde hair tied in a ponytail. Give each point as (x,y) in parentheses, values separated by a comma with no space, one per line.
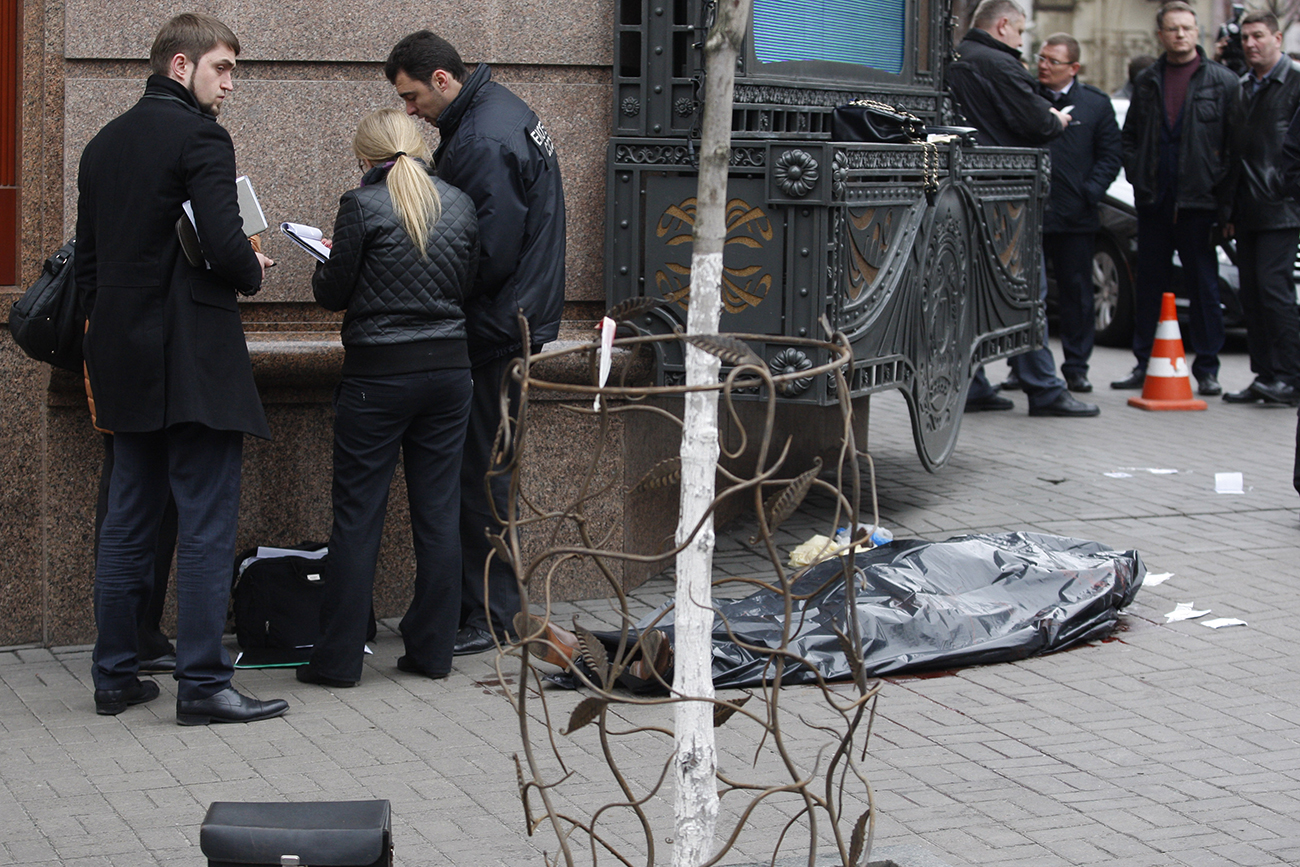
(379,138)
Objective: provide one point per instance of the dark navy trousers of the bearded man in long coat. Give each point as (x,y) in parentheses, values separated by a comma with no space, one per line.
(201,467)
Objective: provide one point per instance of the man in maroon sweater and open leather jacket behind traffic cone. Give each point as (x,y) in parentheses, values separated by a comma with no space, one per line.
(1177,157)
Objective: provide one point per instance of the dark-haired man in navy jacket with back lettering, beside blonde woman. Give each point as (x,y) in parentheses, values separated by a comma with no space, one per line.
(499,151)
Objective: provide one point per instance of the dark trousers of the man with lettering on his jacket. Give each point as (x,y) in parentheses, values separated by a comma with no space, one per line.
(482,501)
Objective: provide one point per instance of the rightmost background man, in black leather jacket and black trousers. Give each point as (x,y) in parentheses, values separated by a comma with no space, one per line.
(1266,223)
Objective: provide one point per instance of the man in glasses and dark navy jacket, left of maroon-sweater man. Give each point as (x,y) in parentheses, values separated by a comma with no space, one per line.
(1086,159)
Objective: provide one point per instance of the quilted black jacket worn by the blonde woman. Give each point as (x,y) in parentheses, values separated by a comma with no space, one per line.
(405,314)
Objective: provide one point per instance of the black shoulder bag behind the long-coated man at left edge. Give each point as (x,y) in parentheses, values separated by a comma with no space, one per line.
(47,323)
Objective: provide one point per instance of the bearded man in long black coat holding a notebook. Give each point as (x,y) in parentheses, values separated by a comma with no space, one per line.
(168,366)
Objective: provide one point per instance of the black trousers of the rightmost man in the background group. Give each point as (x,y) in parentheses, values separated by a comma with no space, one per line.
(1266,262)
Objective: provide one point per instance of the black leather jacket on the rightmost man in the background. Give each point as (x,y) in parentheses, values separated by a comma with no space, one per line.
(1262,201)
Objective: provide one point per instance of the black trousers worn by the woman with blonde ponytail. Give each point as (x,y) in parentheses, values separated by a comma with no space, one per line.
(421,417)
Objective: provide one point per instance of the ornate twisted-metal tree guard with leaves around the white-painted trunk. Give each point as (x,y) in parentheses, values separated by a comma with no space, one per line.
(588,818)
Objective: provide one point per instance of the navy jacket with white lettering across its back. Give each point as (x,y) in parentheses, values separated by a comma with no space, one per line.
(497,150)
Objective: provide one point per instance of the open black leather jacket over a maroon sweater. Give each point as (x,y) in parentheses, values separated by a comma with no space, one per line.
(1204,157)
